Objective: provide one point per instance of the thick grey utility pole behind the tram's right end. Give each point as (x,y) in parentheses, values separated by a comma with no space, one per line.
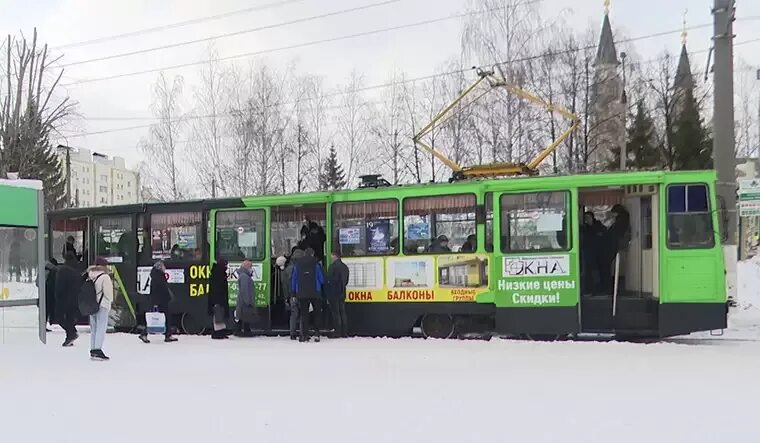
(724,154)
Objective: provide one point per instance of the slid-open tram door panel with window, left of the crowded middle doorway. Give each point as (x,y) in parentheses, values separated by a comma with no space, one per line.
(238,235)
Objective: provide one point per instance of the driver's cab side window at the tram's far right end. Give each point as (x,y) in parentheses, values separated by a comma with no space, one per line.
(689,217)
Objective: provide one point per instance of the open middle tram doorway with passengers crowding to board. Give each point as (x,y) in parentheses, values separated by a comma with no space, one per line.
(287,223)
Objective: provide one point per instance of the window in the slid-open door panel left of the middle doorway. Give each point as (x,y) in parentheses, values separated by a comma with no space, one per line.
(240,235)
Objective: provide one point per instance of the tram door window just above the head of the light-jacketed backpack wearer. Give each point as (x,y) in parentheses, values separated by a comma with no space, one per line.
(114,239)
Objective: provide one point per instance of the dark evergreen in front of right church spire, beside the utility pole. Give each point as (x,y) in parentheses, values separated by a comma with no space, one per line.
(692,142)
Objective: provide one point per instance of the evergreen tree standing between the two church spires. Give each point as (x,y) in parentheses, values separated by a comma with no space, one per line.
(641,146)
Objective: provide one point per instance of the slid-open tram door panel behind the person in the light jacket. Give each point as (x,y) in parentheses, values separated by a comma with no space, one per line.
(114,238)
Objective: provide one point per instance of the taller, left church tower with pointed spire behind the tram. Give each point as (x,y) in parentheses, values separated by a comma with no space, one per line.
(607,132)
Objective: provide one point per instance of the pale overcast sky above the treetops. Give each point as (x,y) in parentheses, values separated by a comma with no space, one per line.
(418,51)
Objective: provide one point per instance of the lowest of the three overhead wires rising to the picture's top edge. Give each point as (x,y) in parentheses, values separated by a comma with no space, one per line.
(284,48)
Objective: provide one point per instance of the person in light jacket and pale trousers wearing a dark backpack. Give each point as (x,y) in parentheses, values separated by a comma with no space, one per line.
(103,289)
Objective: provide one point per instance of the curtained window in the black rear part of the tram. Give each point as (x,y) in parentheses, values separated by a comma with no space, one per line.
(176,236)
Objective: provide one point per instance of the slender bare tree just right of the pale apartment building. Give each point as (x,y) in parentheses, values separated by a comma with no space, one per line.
(163,167)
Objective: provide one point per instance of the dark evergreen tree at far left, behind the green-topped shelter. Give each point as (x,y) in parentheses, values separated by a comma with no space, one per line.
(32,157)
